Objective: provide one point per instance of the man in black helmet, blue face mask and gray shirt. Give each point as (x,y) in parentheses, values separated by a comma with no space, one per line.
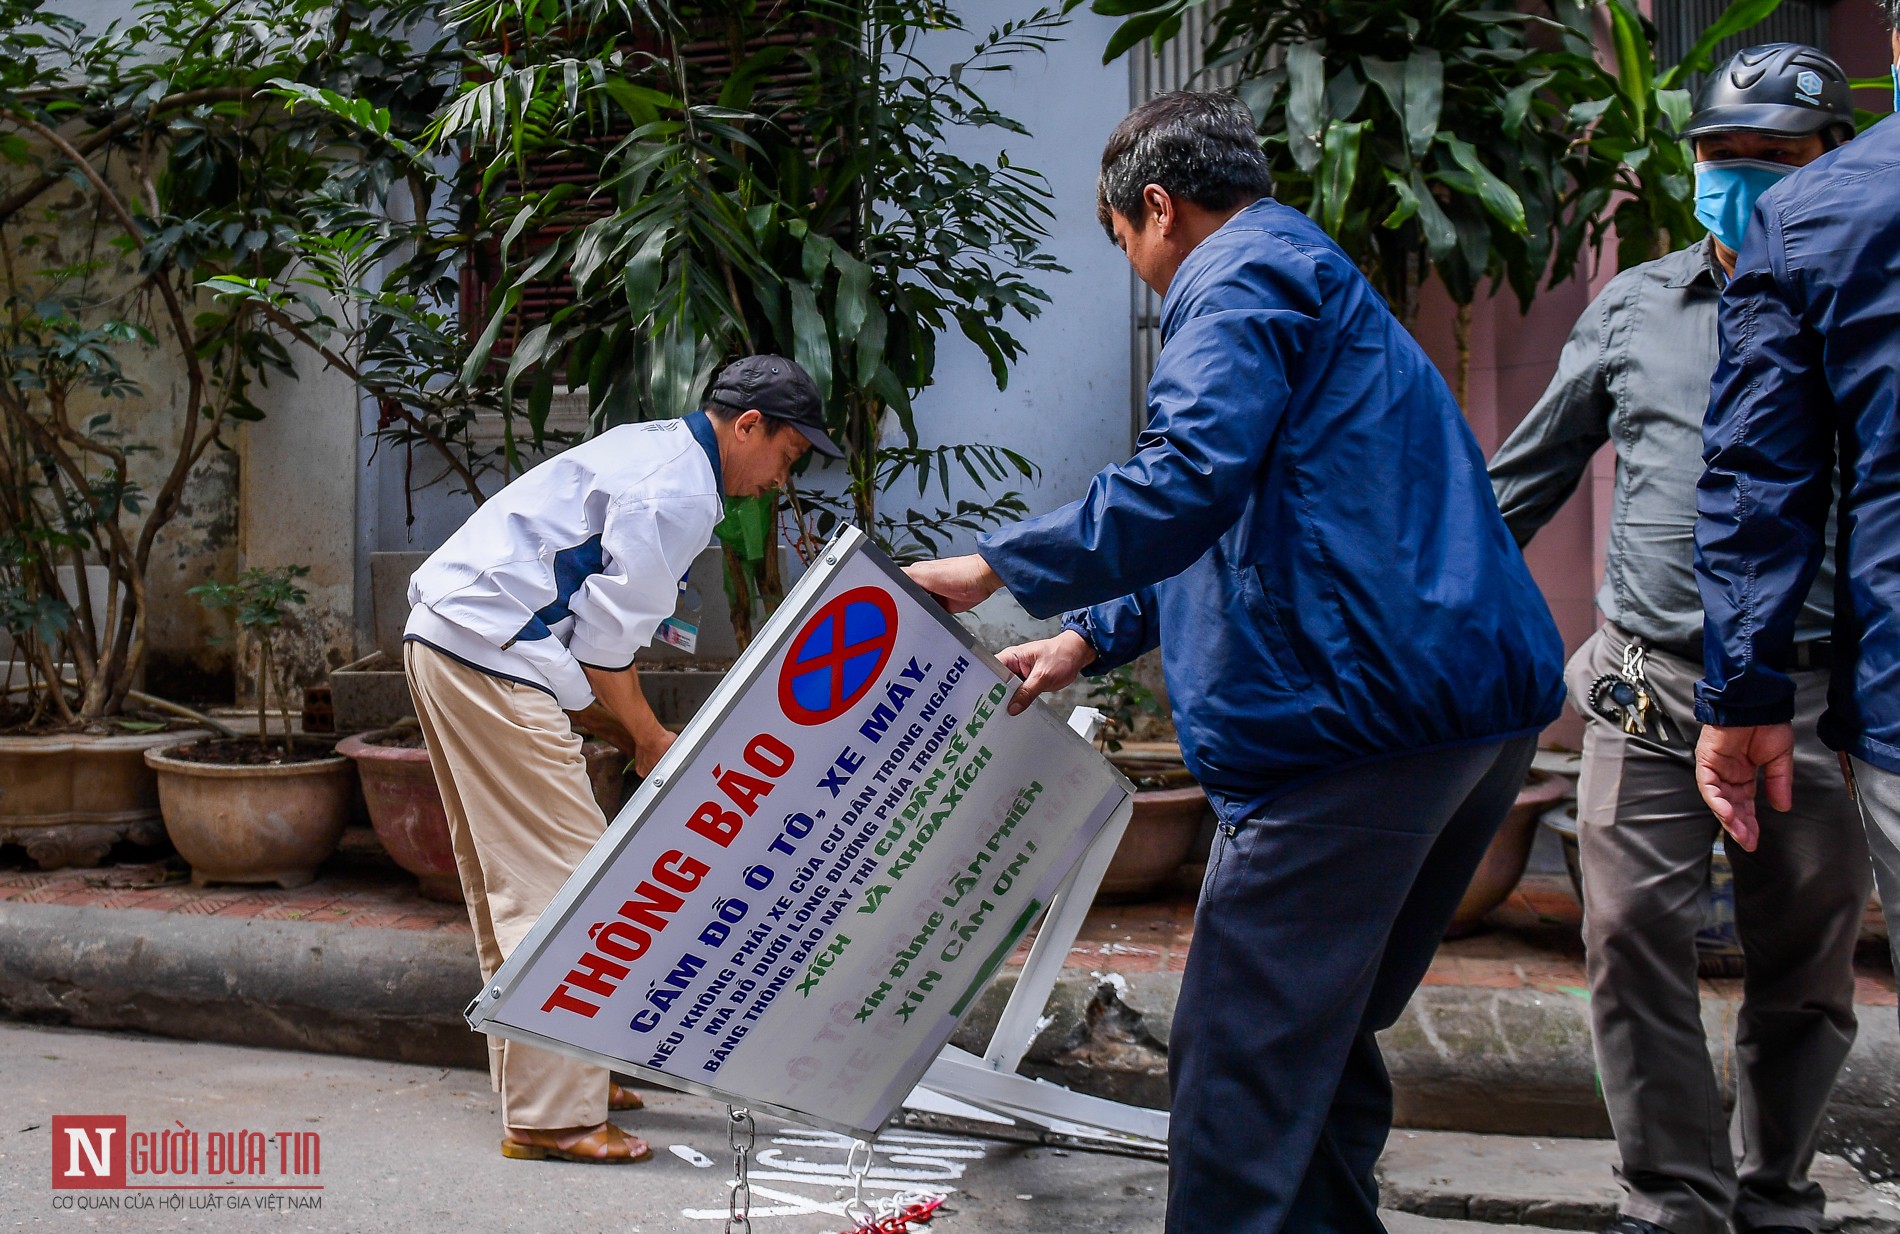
(1635,372)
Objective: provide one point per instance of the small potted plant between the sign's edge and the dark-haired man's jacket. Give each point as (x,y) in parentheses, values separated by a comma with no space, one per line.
(1168,803)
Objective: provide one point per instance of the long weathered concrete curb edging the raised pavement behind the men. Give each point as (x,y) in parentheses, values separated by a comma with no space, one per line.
(1511,1062)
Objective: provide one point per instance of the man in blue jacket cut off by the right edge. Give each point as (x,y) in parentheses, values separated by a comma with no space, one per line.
(1810,381)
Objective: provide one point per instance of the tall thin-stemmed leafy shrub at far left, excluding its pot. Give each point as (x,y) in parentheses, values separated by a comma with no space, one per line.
(140,164)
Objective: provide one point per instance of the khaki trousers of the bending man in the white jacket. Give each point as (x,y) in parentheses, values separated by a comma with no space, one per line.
(522,817)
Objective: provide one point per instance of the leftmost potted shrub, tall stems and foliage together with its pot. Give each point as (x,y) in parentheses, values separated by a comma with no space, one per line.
(140,161)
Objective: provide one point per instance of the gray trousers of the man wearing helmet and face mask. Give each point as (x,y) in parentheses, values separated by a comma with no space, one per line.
(1646,843)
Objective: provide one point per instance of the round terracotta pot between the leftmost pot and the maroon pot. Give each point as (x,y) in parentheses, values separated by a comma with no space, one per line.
(254,824)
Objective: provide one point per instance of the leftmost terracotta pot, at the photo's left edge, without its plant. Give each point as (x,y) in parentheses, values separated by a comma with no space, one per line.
(67,800)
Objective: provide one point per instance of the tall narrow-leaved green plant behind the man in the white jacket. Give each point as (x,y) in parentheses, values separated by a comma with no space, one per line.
(810,199)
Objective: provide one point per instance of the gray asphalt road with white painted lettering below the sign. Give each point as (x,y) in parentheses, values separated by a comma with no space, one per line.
(415,1149)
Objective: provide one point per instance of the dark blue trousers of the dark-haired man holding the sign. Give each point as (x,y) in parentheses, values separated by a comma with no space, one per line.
(1316,925)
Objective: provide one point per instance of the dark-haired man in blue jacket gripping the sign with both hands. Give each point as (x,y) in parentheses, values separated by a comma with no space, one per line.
(1358,659)
